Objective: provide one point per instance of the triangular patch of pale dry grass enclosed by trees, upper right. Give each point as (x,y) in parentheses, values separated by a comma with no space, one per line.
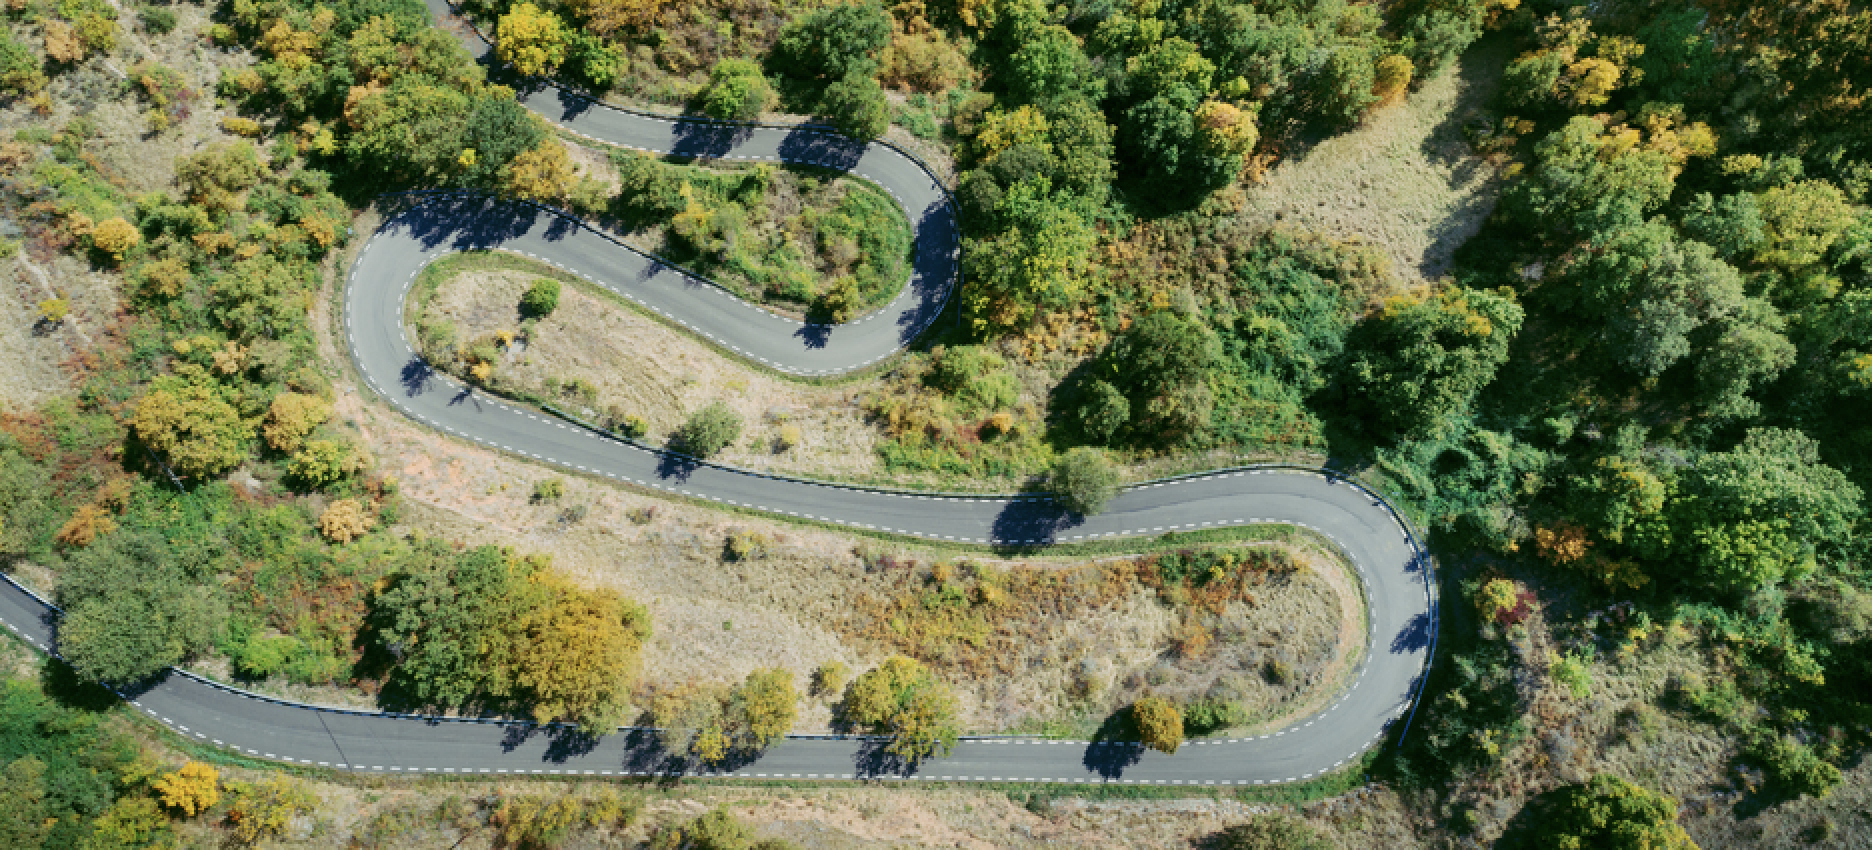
(1407,183)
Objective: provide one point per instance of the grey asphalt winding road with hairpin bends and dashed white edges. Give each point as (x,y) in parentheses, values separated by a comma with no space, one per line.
(1394,568)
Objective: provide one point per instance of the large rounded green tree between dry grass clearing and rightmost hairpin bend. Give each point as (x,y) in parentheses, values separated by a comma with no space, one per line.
(1418,364)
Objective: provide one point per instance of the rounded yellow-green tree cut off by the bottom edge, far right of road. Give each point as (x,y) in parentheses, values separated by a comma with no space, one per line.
(1611,813)
